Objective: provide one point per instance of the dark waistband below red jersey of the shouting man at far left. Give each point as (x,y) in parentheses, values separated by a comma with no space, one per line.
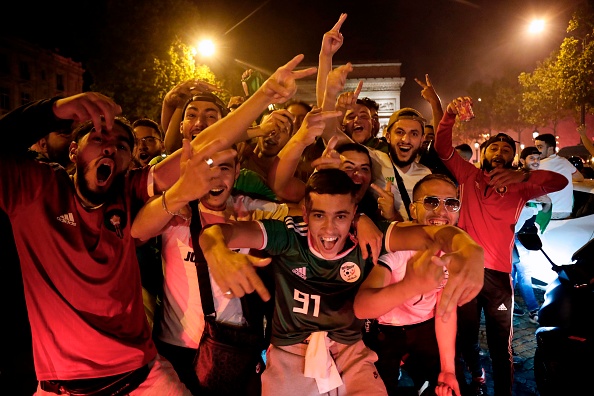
(114,385)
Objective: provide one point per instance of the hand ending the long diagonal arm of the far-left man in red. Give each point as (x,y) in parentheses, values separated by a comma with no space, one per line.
(281,86)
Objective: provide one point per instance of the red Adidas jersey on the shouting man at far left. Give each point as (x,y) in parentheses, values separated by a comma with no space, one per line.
(80,272)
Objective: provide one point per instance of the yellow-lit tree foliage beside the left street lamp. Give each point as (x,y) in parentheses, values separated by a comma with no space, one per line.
(141,54)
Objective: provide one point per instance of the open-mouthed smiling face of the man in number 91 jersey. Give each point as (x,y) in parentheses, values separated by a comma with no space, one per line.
(329,218)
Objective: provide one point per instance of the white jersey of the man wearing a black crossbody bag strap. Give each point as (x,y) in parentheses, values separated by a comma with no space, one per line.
(183,320)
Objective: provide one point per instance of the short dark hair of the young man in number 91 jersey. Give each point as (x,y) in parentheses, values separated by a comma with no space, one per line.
(330,181)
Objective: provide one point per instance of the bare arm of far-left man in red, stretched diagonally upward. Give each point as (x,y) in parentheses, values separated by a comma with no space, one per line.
(279,88)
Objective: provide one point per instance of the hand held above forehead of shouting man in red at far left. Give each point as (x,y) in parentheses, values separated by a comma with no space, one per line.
(88,106)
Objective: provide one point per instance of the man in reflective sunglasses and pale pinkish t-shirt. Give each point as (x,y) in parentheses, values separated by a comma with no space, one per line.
(406,324)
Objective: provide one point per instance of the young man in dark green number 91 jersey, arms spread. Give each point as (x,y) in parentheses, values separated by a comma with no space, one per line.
(318,268)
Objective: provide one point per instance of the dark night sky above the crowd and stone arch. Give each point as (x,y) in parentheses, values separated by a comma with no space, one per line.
(456,42)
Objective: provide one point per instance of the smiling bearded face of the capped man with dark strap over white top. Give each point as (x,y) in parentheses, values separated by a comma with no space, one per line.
(405,138)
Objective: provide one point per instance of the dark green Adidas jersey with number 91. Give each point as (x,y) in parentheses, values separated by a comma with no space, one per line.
(312,293)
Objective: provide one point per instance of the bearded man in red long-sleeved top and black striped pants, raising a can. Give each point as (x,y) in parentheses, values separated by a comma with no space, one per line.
(493,197)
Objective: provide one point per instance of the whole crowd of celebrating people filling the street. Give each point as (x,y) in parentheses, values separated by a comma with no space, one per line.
(354,252)
